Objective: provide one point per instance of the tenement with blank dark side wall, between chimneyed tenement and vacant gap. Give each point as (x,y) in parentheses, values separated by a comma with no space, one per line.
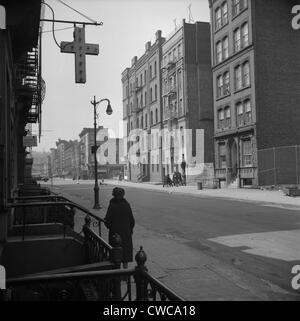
(187,99)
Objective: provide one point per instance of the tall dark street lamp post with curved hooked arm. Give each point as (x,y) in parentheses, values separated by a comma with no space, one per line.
(95,147)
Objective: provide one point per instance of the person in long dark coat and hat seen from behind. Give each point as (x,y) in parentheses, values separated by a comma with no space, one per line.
(119,219)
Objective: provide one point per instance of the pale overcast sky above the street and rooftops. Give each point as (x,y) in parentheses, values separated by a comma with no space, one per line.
(127,26)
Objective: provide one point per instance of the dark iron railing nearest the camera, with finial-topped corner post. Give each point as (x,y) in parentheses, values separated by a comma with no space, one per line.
(134,284)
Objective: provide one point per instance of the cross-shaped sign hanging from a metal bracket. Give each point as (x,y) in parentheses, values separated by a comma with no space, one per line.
(80,49)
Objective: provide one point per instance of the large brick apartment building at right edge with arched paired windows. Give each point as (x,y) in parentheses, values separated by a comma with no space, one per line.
(256,78)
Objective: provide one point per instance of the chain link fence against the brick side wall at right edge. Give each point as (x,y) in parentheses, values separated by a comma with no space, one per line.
(279,166)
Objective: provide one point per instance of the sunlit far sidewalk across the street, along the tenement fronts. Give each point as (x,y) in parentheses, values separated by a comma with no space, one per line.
(274,198)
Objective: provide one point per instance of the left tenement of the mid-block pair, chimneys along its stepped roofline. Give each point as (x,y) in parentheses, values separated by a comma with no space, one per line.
(142,112)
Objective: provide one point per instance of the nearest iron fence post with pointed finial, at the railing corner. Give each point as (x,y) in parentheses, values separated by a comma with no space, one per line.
(140,282)
